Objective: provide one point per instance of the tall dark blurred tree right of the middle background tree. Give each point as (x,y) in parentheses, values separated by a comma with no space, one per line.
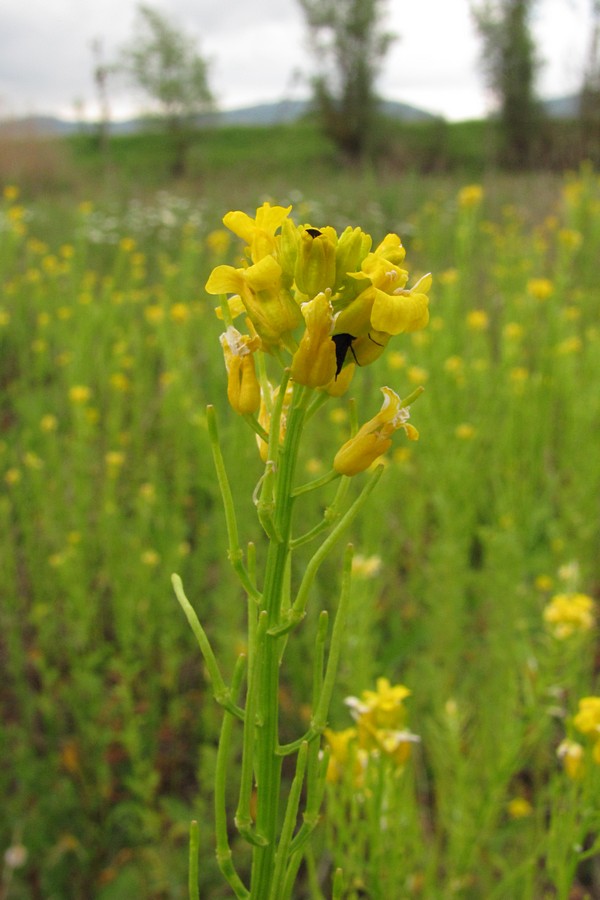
(510,63)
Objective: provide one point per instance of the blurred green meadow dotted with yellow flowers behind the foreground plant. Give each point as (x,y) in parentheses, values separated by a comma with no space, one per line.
(477,572)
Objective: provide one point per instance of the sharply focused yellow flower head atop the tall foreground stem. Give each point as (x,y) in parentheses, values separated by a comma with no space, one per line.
(318,302)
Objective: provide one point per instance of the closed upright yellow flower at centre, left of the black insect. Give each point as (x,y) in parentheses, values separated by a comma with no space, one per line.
(314,362)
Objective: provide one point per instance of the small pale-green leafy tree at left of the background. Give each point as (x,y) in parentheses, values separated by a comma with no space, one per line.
(166,65)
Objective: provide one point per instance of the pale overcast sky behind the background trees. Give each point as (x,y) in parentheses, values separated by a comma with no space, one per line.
(257,52)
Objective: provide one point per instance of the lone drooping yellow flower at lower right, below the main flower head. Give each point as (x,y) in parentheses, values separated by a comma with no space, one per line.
(374,438)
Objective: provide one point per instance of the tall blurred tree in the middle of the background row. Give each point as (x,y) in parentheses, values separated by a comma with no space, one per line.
(348,45)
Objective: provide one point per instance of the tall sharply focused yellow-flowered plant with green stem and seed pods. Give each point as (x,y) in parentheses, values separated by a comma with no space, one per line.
(314,305)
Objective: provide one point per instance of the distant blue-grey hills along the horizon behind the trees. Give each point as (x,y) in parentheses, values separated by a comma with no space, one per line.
(277,113)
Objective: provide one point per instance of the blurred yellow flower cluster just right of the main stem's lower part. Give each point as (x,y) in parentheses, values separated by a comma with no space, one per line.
(380,732)
